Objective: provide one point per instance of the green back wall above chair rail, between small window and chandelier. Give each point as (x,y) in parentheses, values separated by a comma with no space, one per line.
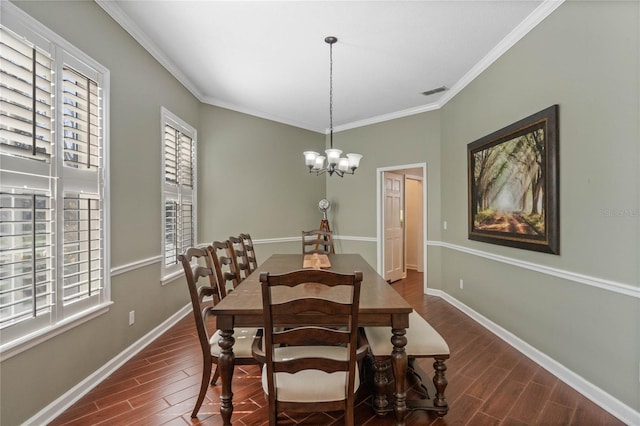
(252,178)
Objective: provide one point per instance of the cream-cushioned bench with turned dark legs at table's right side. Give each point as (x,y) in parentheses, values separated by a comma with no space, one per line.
(423,341)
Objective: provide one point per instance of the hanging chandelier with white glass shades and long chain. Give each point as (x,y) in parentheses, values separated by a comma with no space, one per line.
(335,162)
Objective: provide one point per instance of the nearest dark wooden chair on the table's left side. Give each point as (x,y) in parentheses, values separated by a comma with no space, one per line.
(201,278)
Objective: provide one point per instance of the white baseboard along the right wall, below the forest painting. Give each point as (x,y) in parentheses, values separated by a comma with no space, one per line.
(609,403)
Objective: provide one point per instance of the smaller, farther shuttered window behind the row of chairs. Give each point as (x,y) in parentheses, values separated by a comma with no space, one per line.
(178,191)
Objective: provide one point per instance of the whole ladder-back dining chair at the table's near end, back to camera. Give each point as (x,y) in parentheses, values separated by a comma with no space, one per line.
(309,365)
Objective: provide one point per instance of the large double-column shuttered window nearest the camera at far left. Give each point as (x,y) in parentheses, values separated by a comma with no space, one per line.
(54,265)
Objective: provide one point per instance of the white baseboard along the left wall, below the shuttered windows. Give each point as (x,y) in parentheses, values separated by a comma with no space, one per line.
(57,407)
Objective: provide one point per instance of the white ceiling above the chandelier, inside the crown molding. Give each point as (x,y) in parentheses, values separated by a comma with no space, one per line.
(269,58)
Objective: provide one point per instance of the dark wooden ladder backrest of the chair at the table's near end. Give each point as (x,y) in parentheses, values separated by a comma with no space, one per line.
(291,320)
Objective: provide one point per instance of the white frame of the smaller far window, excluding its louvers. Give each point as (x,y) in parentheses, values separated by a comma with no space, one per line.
(171,272)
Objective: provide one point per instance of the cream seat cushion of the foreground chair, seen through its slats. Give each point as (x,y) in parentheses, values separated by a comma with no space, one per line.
(310,385)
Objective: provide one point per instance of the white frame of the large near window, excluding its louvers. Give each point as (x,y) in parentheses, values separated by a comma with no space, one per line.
(64,316)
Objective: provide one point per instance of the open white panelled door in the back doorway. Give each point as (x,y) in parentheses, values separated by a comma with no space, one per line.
(393,226)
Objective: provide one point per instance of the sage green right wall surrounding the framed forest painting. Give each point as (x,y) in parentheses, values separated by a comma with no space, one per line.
(585,58)
